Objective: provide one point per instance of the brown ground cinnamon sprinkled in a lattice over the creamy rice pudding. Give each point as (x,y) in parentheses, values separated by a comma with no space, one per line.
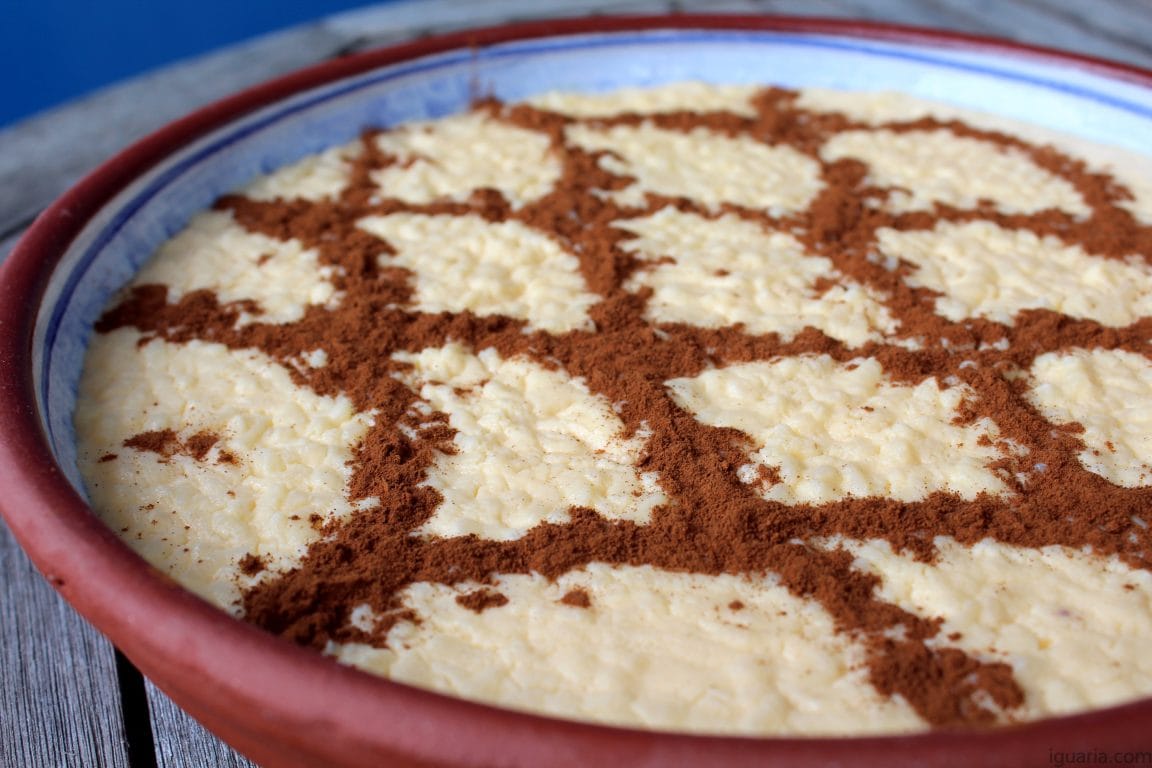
(627,360)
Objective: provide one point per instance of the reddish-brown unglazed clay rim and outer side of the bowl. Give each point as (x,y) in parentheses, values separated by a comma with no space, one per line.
(264,683)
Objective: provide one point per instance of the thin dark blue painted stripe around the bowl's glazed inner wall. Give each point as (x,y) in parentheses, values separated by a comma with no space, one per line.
(520,49)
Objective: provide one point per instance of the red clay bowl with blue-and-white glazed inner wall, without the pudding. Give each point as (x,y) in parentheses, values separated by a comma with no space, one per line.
(286,706)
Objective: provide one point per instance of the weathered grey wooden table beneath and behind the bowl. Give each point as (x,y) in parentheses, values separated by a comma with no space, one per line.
(67,698)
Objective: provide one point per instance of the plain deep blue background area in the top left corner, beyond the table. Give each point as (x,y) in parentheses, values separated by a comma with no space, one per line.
(58,50)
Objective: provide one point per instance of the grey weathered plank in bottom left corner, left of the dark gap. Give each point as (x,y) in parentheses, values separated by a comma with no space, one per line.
(59,697)
